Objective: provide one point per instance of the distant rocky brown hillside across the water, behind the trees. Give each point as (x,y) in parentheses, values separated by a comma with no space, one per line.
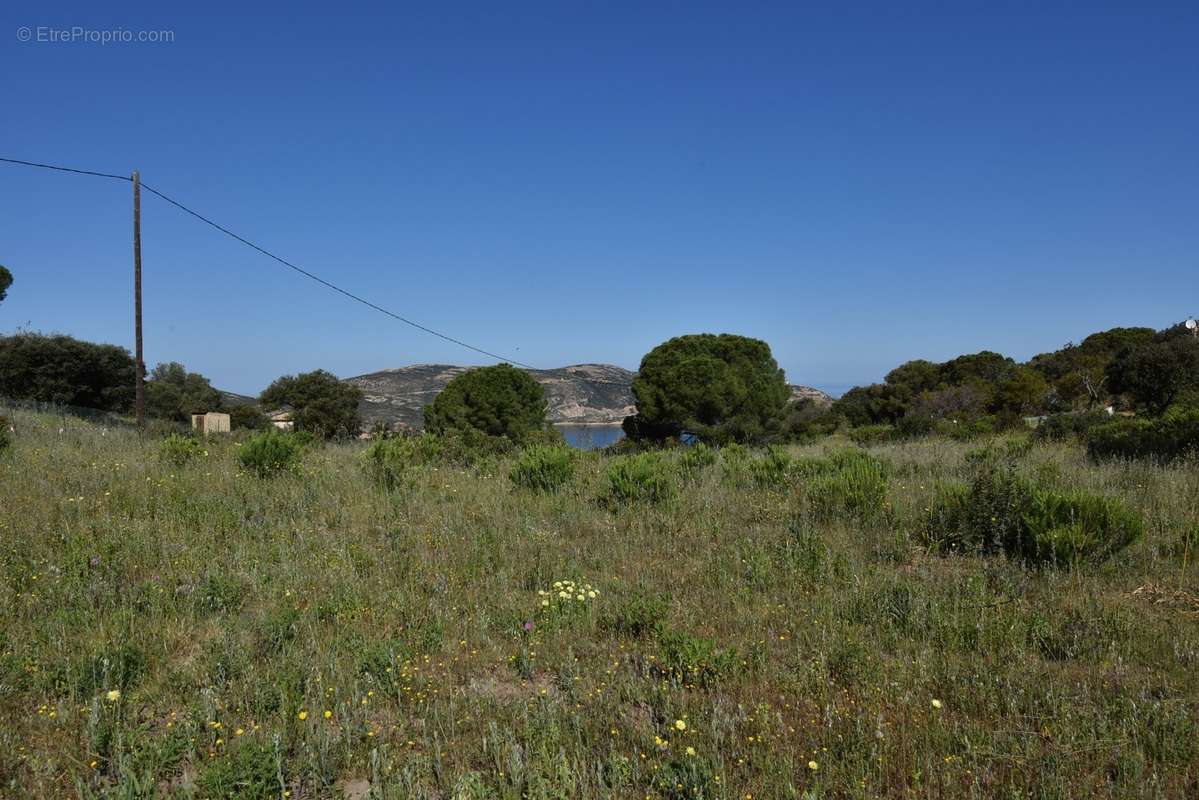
(592,394)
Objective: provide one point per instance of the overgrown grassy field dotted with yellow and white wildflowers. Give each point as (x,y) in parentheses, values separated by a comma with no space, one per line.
(197,631)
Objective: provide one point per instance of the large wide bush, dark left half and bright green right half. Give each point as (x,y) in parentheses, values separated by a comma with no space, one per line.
(1004,513)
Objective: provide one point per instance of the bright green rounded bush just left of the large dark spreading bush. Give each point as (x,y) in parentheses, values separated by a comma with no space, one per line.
(847,483)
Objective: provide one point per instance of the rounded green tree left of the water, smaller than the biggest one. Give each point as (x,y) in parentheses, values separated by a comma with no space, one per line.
(499,402)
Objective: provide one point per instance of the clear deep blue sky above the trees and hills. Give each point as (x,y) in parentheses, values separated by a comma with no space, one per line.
(858,184)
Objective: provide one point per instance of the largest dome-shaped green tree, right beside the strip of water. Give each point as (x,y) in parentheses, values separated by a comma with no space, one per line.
(720,389)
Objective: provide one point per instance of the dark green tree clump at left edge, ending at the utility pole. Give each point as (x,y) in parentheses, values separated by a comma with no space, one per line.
(68,371)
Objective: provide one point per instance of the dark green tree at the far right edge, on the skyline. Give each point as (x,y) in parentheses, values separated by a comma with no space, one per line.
(1158,374)
